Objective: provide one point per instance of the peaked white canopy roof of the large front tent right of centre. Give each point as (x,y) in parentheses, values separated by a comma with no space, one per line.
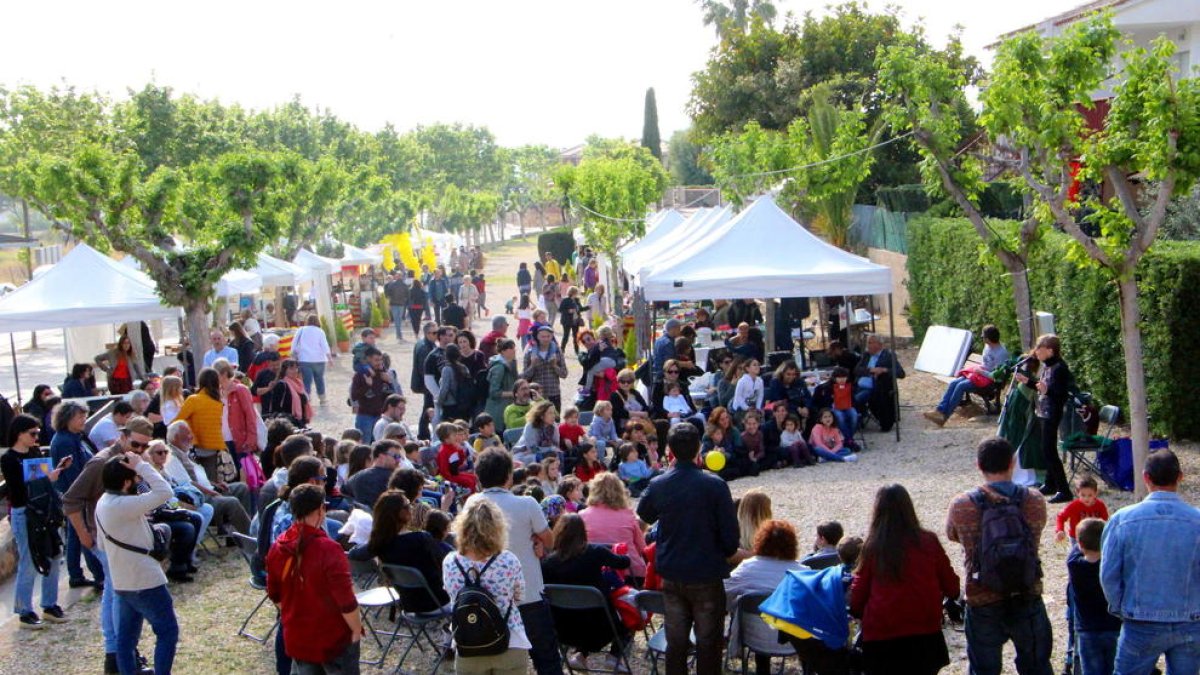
(763,253)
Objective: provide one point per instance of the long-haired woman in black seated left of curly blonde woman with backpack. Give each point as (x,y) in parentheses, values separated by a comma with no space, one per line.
(394,543)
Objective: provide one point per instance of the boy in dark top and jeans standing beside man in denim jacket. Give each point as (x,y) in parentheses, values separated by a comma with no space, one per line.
(1096,630)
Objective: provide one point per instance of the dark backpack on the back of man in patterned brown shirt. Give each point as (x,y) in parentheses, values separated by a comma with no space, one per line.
(1007,558)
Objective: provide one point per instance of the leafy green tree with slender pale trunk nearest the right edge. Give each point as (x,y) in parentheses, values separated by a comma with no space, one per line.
(1151,132)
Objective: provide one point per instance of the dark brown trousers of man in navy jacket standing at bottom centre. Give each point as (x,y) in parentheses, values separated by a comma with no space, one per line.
(700,605)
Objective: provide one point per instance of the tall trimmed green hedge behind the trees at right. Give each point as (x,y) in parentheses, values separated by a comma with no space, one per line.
(955,282)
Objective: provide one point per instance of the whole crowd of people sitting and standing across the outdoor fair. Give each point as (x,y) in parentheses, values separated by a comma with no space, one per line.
(503,487)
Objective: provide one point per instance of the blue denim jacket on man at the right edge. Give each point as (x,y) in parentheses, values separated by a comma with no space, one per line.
(1150,563)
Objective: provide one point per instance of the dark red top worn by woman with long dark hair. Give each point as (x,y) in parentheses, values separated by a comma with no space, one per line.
(911,606)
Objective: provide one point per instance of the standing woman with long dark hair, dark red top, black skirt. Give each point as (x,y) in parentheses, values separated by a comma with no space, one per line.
(902,578)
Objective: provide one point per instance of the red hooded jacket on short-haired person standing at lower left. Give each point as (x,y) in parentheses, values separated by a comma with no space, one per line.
(314,598)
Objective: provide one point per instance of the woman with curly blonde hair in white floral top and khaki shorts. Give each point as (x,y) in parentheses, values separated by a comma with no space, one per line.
(482,536)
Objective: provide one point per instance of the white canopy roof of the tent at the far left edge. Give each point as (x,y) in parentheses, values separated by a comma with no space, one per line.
(85,289)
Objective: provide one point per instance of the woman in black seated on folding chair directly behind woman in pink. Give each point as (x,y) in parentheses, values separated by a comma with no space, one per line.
(575,561)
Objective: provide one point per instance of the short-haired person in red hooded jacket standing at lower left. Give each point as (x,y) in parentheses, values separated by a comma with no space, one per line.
(309,581)
